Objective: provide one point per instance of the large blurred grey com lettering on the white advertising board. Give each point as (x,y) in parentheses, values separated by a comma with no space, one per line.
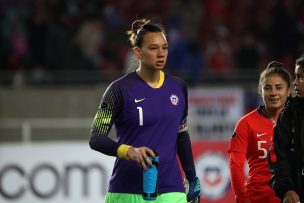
(46,181)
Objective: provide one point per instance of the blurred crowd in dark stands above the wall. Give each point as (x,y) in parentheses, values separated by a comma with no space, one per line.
(219,36)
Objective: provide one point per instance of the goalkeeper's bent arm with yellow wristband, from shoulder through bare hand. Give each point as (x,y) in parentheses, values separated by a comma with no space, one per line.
(108,111)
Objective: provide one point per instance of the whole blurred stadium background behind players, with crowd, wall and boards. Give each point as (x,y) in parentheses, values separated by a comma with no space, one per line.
(57,57)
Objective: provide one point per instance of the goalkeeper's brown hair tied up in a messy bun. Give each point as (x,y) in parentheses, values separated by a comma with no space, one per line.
(140,28)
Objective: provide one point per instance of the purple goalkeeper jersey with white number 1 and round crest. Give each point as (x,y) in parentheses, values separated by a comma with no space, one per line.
(144,116)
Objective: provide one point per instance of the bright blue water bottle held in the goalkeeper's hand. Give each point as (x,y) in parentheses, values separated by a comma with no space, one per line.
(150,179)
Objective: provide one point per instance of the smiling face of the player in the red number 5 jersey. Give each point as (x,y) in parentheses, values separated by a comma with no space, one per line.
(274,92)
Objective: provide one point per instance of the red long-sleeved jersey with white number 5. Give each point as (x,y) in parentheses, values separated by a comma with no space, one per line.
(251,140)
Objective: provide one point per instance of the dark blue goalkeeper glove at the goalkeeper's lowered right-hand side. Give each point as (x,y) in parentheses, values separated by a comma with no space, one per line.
(193,190)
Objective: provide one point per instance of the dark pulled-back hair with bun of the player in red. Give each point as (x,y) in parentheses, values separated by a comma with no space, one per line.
(275,67)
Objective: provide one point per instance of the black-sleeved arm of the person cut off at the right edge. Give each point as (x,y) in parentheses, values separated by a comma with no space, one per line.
(278,160)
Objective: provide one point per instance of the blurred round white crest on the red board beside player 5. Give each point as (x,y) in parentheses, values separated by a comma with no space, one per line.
(213,172)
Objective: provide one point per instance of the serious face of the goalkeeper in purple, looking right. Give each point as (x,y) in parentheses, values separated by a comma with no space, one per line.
(154,51)
